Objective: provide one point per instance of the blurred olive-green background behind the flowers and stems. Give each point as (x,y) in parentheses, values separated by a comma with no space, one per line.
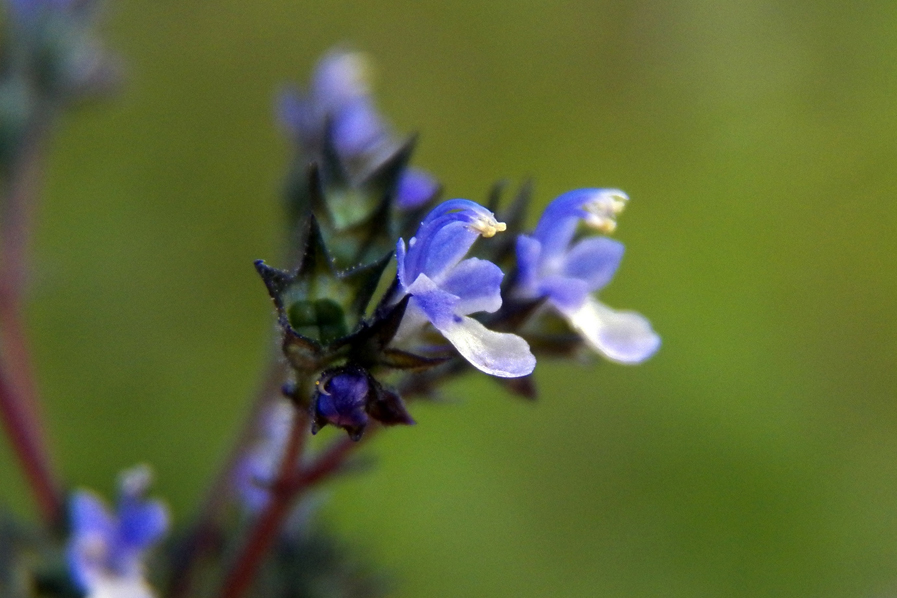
(755,455)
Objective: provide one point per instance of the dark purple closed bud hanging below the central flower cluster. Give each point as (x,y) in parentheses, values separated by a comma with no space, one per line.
(348,397)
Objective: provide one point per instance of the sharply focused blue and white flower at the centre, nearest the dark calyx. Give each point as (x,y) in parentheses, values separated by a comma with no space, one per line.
(446,288)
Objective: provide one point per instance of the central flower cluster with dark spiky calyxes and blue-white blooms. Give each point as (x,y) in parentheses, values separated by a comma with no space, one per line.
(444,307)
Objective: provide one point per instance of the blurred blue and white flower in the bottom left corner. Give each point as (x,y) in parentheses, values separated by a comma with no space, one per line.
(106,551)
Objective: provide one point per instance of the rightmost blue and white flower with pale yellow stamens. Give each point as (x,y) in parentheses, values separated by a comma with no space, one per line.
(551,265)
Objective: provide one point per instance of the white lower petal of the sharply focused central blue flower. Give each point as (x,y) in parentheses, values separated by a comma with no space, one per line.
(496,353)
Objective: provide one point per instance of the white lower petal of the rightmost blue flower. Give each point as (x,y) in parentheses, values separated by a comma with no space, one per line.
(621,336)
